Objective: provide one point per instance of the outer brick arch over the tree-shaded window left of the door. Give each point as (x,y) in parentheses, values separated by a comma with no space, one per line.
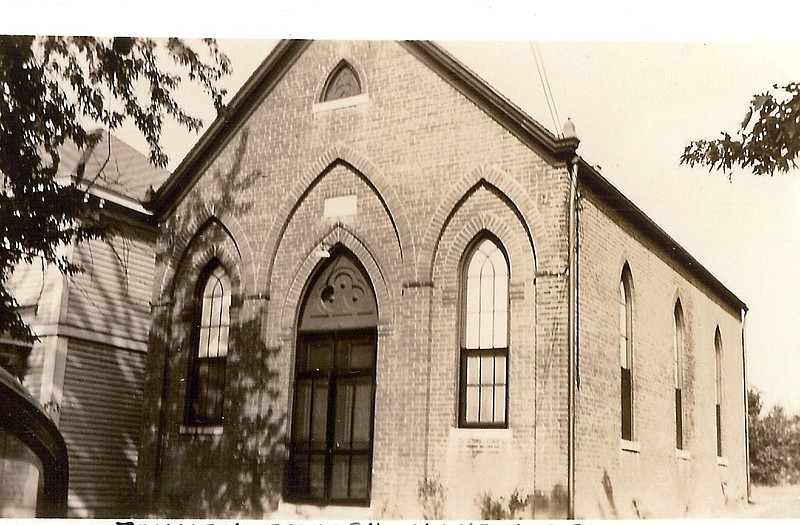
(199,225)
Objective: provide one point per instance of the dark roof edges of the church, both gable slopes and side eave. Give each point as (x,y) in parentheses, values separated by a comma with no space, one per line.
(458,75)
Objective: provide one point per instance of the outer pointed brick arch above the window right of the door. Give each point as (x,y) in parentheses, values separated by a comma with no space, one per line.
(518,200)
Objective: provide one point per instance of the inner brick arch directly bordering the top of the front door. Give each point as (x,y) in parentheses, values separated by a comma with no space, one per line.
(338,235)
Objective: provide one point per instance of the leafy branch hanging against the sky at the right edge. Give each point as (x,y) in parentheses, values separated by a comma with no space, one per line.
(767,142)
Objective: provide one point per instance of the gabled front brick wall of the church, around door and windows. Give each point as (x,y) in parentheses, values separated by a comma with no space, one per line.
(430,170)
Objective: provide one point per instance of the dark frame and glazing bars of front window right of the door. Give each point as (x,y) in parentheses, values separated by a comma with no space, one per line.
(466,353)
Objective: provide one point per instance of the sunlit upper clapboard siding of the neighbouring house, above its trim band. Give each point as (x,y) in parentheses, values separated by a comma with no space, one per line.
(112,295)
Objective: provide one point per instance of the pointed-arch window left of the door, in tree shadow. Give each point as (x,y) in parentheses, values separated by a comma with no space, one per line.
(206,388)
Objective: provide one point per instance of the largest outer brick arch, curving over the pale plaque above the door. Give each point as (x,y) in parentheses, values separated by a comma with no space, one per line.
(359,165)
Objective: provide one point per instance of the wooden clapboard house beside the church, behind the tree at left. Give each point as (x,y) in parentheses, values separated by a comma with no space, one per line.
(87,368)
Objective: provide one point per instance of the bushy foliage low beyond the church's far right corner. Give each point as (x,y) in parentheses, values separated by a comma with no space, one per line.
(774,440)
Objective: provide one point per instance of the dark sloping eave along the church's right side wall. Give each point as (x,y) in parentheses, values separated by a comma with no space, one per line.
(590,177)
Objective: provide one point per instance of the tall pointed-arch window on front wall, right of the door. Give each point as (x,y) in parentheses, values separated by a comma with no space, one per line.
(483,392)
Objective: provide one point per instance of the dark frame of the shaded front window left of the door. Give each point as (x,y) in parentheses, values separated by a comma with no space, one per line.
(196,361)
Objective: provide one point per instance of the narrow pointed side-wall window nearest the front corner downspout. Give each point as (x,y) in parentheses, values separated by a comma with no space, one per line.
(626,353)
